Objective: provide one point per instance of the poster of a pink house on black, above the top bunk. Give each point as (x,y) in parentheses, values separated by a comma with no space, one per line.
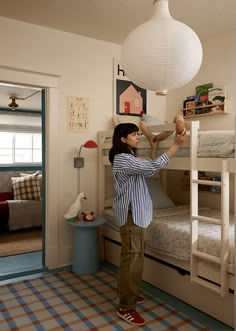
(129,99)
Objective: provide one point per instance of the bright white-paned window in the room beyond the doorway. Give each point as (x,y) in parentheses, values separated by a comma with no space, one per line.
(20,148)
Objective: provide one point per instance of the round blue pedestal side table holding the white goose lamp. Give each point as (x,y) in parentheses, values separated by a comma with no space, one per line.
(85,249)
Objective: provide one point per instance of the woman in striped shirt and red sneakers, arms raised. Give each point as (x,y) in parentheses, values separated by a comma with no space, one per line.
(132,205)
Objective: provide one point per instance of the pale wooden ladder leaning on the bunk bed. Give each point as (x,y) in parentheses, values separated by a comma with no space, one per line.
(196,255)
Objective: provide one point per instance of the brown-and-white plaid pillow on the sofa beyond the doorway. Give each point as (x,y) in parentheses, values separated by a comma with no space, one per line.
(26,188)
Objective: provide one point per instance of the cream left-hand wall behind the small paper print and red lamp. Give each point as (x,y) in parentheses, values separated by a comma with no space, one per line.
(84,67)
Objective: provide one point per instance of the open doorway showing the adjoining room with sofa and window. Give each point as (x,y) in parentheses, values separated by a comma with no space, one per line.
(22,162)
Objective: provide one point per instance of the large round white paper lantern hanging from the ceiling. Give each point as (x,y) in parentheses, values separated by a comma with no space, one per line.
(161,54)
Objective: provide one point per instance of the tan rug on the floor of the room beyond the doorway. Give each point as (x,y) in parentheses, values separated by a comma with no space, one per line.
(14,243)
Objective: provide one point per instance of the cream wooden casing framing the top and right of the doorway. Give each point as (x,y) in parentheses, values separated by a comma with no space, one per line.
(50,82)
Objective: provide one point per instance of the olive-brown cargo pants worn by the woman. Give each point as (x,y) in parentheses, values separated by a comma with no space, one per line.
(131,263)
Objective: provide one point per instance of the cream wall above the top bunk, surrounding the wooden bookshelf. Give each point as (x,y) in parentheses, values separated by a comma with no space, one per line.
(218,67)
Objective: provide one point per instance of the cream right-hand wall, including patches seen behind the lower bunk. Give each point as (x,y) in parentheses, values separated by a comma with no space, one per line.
(218,67)
